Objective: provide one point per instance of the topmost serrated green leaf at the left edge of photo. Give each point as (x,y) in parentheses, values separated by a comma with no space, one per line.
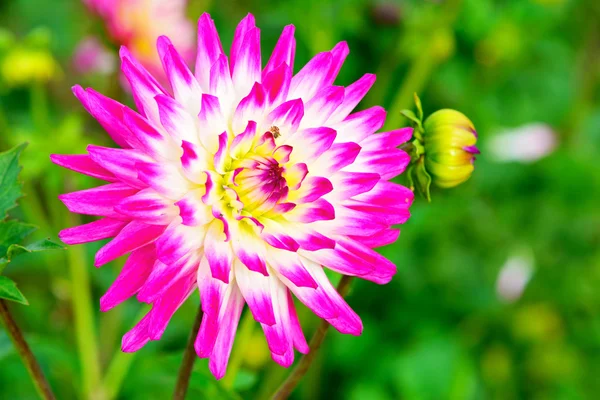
(10,188)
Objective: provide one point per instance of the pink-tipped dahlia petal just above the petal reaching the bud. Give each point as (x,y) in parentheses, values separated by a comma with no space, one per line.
(360,125)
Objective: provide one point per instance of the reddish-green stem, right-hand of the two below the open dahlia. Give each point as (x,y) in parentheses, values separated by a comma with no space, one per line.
(288,386)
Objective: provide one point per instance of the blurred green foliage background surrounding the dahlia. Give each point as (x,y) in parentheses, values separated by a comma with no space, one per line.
(453,323)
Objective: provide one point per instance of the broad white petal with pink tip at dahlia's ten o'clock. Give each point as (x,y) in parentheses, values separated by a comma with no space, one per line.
(176,120)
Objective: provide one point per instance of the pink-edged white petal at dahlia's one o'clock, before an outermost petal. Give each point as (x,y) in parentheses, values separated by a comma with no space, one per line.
(311,78)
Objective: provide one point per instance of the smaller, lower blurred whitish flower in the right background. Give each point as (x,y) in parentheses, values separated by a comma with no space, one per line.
(514,277)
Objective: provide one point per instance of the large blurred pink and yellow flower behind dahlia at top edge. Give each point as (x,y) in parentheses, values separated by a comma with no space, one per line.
(137,24)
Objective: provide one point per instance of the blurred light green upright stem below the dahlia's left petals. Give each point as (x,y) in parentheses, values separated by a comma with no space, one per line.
(85,330)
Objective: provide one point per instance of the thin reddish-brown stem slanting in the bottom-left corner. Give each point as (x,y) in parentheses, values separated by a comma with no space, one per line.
(34,369)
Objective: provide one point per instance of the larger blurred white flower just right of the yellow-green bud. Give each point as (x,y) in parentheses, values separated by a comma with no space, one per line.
(524,144)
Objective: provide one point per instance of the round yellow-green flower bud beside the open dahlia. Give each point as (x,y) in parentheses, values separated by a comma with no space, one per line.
(449,141)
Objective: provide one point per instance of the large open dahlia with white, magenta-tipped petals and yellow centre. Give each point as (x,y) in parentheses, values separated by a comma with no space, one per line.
(244,182)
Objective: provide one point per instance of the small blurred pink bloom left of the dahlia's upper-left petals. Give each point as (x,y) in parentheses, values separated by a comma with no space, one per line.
(91,56)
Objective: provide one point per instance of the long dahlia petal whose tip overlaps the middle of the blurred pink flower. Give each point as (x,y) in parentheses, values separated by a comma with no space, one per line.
(186,88)
